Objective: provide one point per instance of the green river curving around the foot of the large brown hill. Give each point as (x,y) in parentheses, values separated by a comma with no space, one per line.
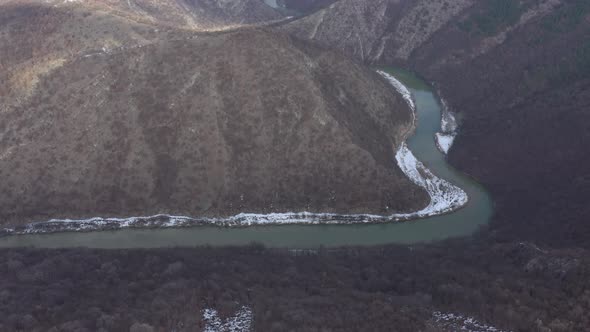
(465,221)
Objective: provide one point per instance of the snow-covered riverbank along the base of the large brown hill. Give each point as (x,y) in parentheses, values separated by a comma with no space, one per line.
(444,198)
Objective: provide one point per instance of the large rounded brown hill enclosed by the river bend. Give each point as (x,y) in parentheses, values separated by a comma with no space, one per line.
(214,125)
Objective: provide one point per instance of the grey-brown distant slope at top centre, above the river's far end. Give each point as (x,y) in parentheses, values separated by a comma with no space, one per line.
(382,30)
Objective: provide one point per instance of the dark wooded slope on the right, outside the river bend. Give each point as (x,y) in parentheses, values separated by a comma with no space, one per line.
(522,82)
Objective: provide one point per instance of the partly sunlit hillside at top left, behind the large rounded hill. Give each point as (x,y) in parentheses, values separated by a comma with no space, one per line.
(52,31)
